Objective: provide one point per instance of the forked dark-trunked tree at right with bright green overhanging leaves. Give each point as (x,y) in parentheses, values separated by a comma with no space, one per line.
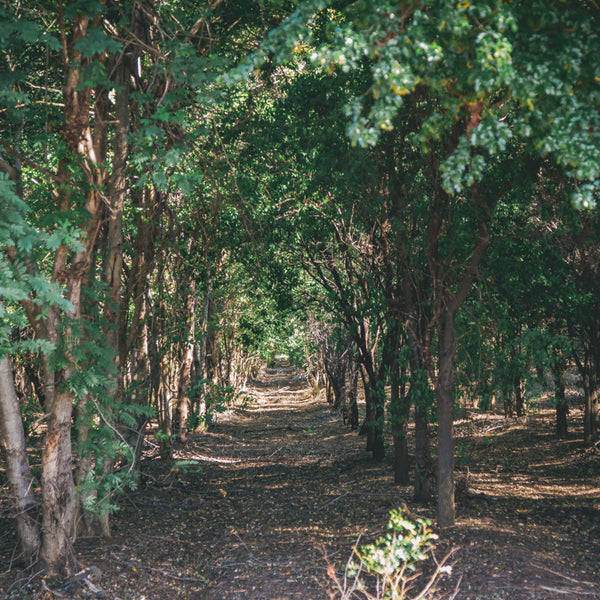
(488,73)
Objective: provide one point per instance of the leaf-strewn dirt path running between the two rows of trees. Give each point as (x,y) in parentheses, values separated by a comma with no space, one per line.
(250,509)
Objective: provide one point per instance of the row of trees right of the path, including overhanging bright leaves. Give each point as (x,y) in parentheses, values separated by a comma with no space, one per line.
(469,130)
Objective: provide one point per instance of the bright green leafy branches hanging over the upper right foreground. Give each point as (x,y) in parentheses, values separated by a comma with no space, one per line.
(531,66)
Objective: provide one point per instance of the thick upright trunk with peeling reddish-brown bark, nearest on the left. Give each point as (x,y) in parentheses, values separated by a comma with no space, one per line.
(85,148)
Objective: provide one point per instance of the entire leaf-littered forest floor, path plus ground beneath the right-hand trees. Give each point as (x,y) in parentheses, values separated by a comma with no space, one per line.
(259,506)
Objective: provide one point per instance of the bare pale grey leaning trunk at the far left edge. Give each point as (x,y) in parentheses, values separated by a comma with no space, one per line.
(12,435)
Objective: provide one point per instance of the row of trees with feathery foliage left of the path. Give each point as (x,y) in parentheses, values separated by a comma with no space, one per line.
(117,238)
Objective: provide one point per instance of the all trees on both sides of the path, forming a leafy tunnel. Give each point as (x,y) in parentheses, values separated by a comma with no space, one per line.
(181,191)
